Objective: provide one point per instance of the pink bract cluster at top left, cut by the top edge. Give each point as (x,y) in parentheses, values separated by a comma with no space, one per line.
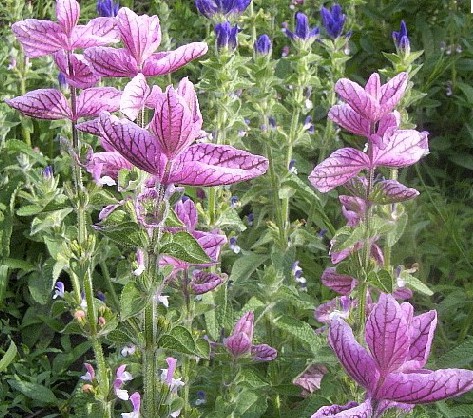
(44,37)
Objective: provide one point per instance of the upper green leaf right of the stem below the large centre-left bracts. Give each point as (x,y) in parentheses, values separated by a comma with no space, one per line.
(183,246)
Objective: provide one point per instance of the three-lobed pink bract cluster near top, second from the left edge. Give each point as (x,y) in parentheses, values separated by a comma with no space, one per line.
(141,36)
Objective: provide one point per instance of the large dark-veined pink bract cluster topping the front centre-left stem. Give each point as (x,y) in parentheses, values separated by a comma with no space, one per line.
(166,150)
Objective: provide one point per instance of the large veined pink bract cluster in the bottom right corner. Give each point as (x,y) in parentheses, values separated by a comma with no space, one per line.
(392,369)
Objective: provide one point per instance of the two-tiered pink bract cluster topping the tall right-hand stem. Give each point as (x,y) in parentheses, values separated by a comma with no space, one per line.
(370,112)
